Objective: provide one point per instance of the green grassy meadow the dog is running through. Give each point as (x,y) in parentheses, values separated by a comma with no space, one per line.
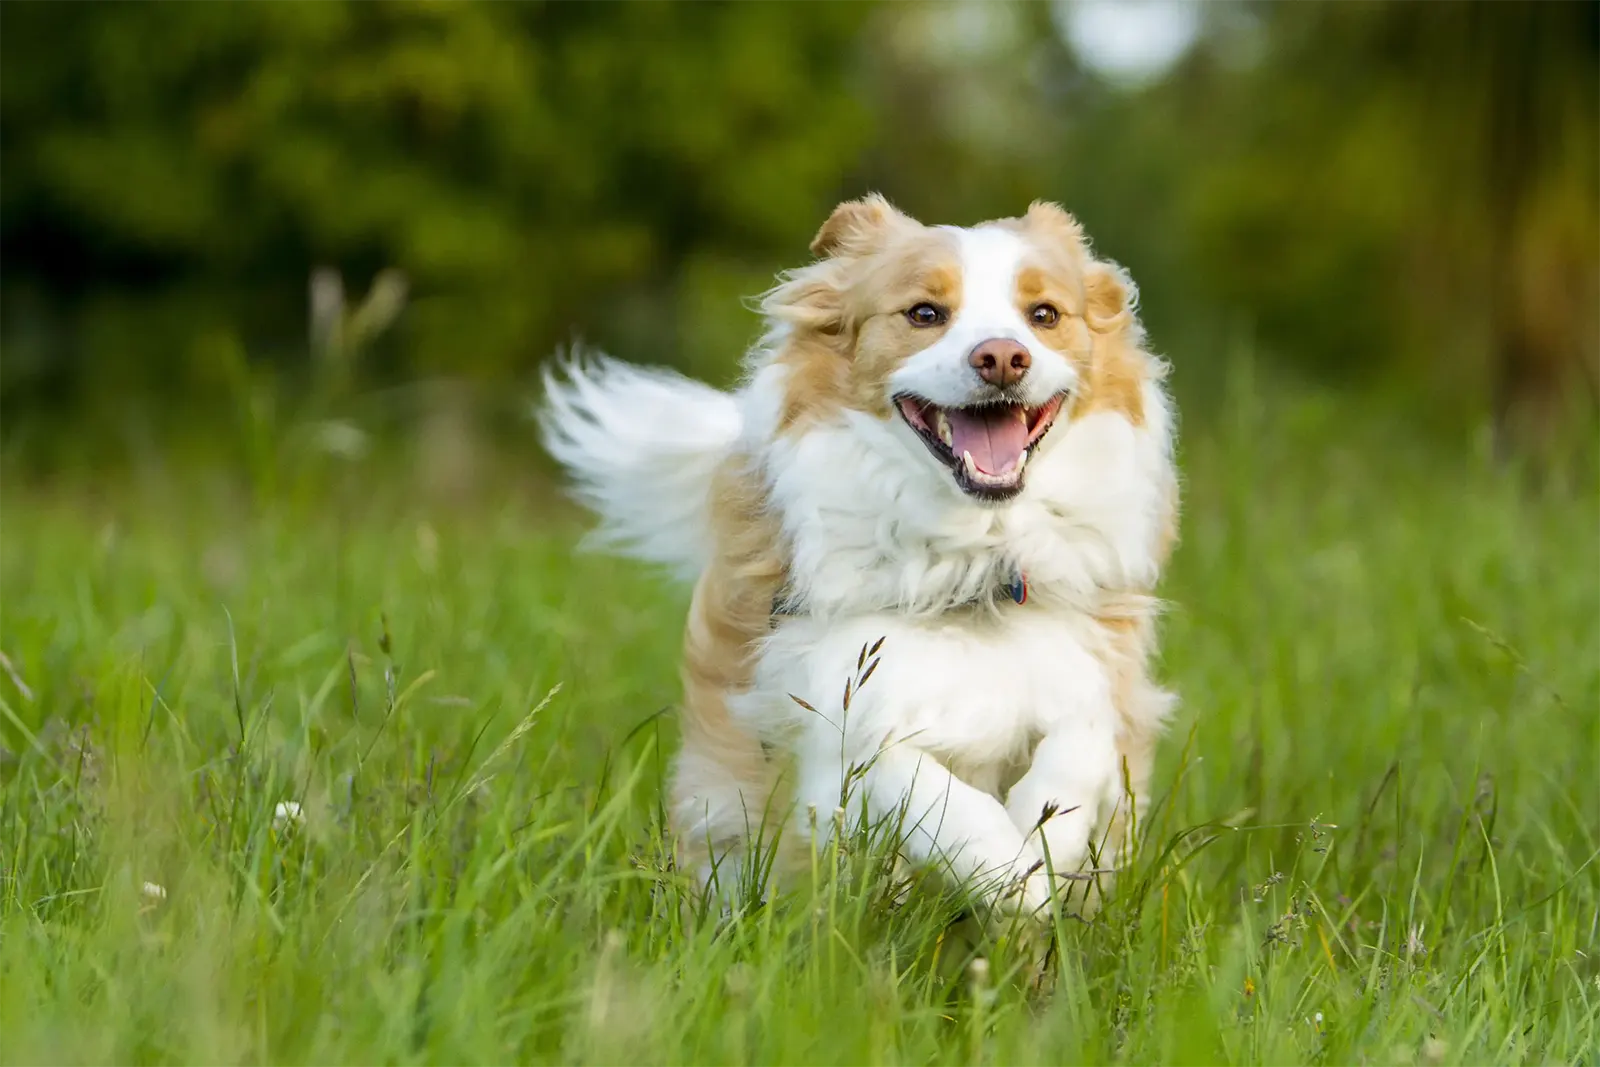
(1372,839)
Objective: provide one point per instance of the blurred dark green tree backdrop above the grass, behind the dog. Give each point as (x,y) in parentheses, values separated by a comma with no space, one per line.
(207,204)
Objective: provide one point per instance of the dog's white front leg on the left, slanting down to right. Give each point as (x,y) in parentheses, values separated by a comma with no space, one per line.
(938,818)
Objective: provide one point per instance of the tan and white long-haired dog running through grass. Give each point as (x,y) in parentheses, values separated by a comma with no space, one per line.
(945,489)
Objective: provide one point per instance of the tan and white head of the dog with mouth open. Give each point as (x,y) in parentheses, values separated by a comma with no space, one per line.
(972,342)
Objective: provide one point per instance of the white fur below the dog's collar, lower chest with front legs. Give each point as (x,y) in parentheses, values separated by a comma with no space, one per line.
(970,732)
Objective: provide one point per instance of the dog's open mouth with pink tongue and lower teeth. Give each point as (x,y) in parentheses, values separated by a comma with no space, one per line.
(986,446)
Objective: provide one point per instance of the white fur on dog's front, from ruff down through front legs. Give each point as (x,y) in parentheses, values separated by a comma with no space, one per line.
(884,546)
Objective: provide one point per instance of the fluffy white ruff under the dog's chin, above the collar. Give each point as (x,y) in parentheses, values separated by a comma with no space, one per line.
(873,526)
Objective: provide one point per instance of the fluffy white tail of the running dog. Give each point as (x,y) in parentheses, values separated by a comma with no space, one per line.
(642,447)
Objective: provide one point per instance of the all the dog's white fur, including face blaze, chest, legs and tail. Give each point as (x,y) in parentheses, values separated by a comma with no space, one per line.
(978,719)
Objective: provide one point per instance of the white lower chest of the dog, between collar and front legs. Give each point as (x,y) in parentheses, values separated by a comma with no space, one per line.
(977,689)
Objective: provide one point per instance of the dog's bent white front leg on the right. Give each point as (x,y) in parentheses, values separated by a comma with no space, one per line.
(1060,797)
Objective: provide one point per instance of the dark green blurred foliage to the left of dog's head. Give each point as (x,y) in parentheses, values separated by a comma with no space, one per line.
(174,169)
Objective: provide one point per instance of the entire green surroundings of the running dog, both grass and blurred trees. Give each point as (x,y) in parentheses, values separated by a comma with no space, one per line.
(276,282)
